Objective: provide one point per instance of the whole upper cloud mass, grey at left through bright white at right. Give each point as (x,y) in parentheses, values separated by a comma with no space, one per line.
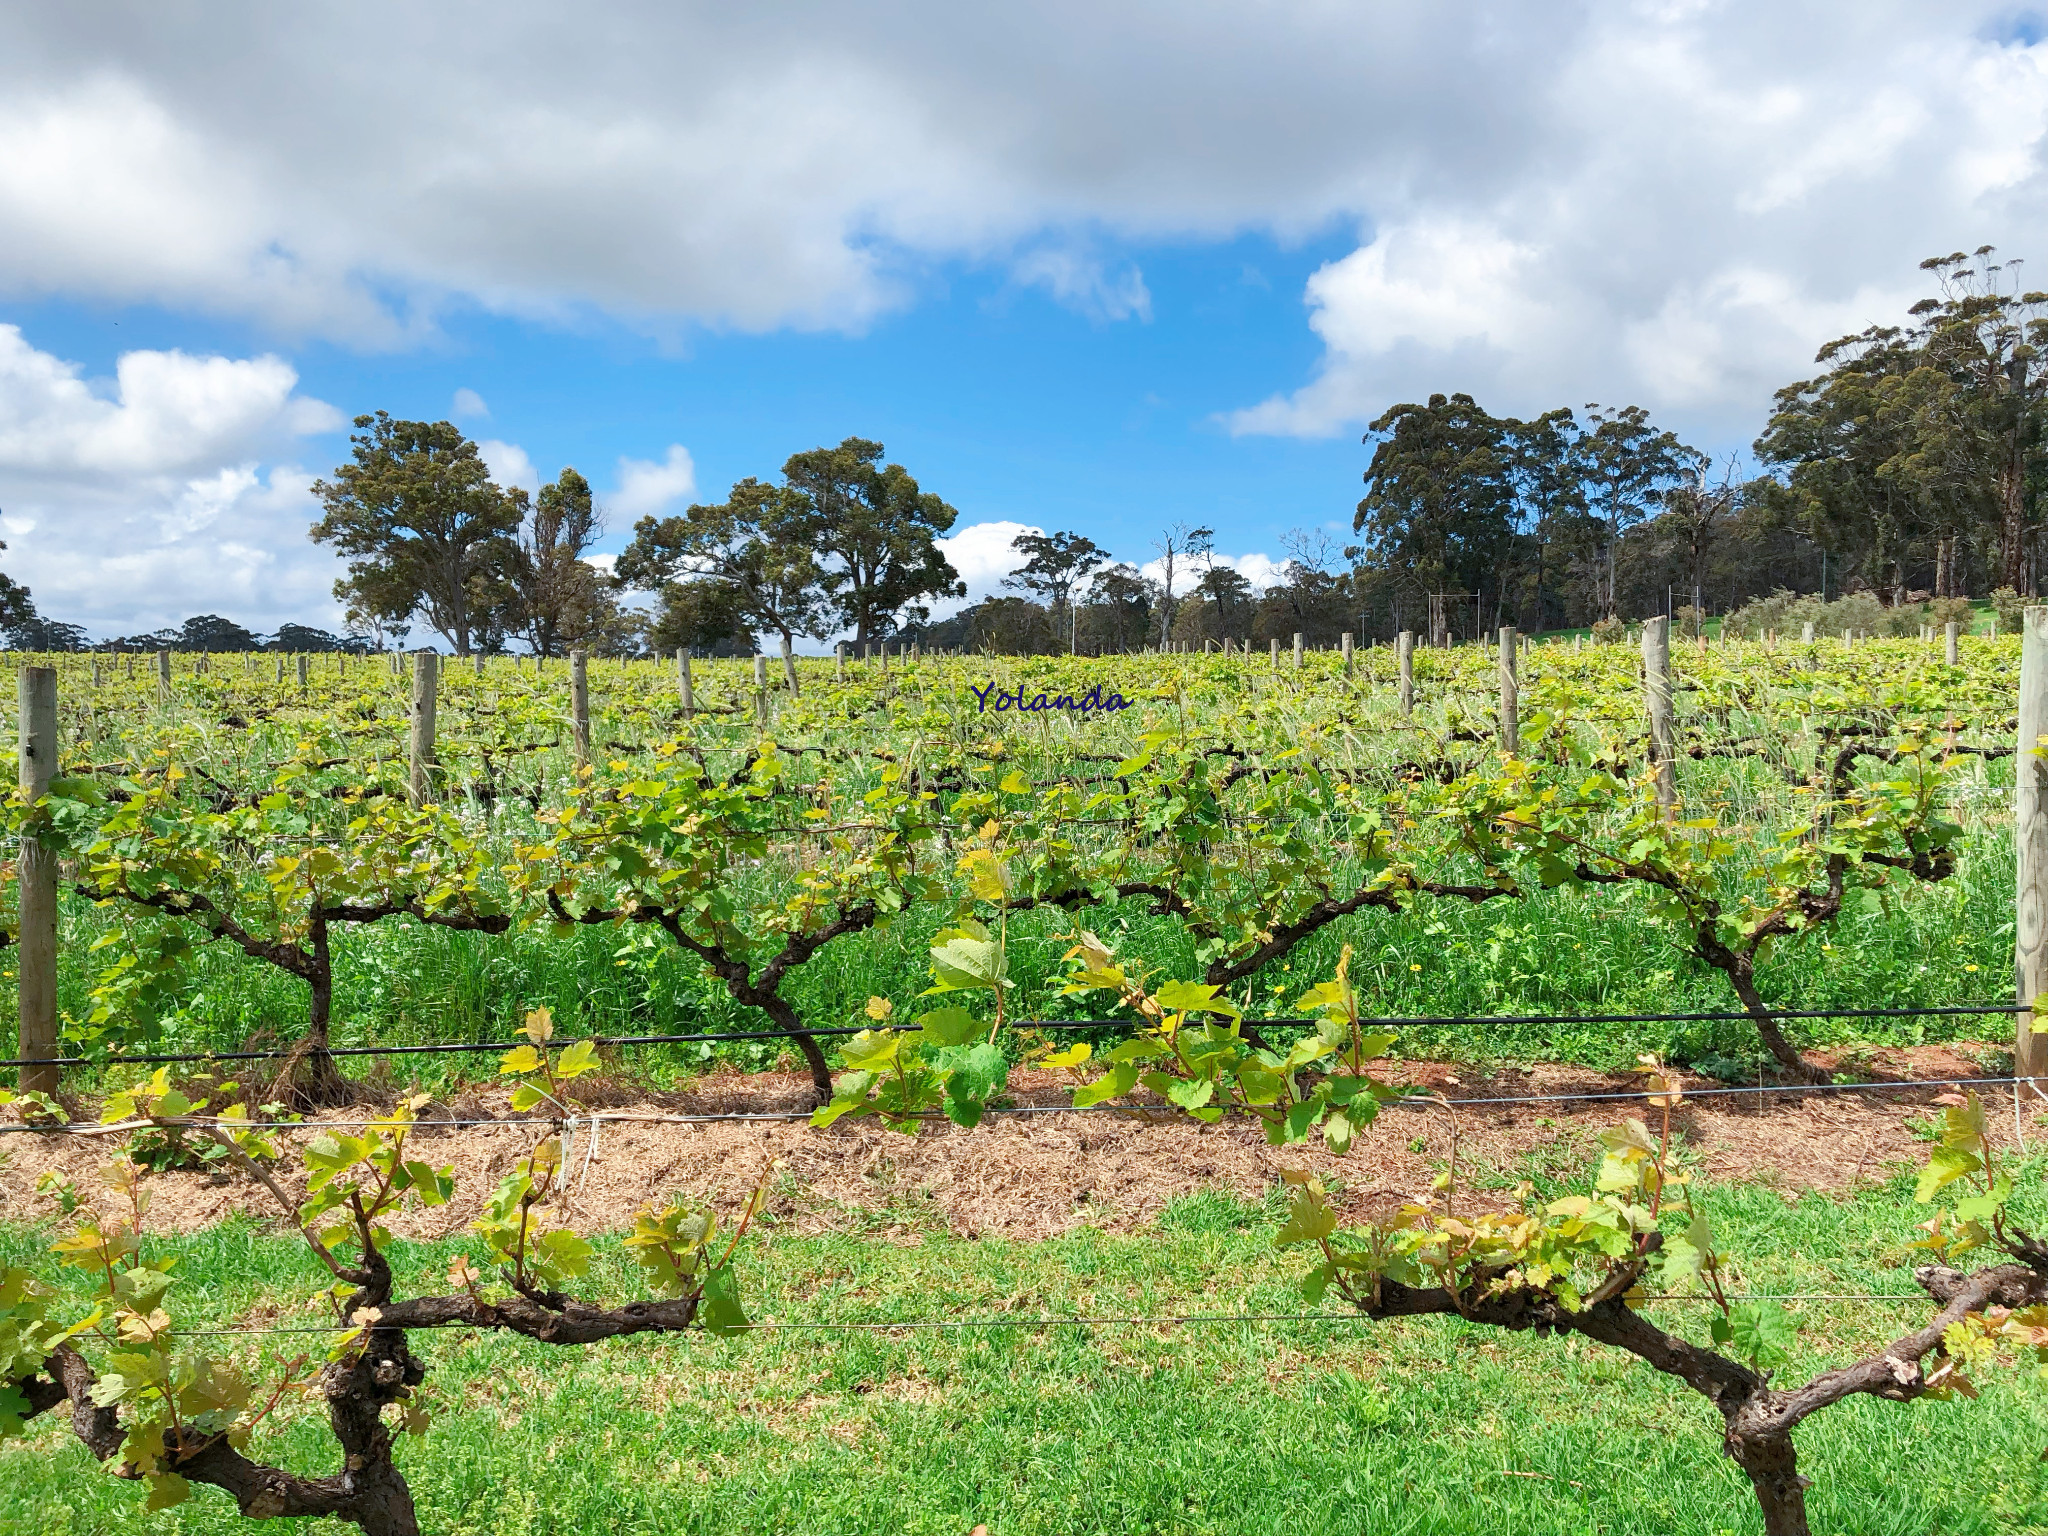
(1670,204)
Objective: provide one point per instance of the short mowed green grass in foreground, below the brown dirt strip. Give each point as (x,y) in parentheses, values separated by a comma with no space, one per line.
(1246,1426)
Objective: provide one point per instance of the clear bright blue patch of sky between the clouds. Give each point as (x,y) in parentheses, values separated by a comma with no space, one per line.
(1000,398)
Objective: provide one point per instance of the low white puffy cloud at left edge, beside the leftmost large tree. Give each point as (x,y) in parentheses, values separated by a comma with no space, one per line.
(142,501)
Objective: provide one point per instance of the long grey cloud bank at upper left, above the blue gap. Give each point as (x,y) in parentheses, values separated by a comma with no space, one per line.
(302,171)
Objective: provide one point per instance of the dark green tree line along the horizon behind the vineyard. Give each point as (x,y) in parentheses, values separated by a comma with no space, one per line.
(1908,468)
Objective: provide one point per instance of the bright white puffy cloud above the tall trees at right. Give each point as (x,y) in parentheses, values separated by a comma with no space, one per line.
(1709,194)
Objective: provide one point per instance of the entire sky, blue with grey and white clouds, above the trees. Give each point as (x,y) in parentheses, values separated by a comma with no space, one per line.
(1105,267)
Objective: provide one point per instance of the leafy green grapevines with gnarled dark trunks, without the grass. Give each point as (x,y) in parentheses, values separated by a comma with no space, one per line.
(1250,806)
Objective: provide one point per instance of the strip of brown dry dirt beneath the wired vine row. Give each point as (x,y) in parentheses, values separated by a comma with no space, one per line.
(1043,1175)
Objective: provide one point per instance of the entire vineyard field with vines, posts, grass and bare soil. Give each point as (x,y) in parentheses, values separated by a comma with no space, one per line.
(1465,1089)
